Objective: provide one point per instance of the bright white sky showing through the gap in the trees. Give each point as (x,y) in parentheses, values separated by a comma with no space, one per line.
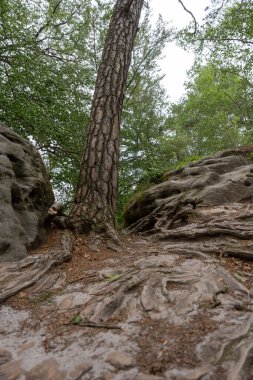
(177,61)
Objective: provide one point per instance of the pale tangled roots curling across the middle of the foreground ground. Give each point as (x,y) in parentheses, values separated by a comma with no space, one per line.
(158,287)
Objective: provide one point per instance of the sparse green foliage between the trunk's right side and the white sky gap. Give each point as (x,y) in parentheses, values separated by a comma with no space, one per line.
(144,111)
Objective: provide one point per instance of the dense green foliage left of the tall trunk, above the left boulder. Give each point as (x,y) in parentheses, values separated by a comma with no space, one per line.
(49,53)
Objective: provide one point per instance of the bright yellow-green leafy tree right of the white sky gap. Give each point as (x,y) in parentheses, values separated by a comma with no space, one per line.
(208,119)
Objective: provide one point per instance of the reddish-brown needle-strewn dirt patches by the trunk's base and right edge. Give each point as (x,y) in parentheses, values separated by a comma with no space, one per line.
(84,258)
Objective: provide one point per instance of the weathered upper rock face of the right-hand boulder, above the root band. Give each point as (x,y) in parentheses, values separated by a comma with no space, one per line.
(222,179)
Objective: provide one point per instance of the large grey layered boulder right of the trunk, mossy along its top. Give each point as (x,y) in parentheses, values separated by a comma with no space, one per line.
(191,200)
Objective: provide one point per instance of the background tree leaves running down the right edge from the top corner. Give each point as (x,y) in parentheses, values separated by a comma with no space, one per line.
(226,40)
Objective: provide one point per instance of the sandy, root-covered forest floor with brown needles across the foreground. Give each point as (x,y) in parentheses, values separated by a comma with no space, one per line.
(141,313)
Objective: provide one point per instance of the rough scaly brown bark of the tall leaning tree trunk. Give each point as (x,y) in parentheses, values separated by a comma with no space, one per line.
(95,201)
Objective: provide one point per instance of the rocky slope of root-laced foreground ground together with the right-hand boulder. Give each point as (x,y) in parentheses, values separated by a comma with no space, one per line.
(172,305)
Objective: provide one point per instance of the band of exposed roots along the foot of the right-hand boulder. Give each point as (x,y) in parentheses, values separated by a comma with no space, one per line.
(223,230)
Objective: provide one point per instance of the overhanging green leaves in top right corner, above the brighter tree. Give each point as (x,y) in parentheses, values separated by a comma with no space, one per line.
(227,35)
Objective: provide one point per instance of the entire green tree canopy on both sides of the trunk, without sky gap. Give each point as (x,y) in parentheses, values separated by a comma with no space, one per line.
(50,53)
